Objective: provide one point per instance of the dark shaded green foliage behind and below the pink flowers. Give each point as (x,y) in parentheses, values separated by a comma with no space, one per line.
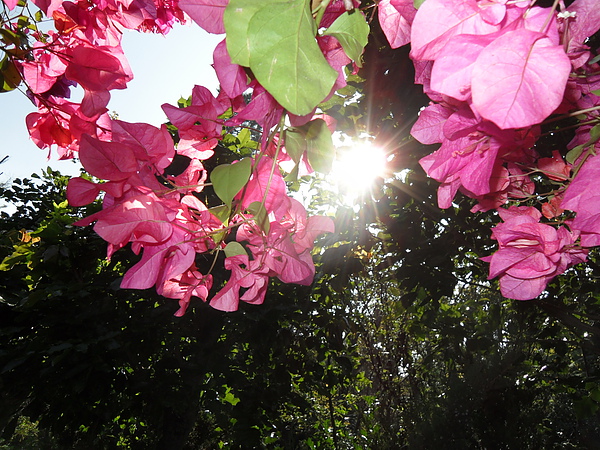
(401,342)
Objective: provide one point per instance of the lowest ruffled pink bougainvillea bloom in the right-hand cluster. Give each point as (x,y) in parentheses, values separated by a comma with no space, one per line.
(530,253)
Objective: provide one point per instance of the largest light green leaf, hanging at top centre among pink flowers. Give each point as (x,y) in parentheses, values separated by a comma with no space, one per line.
(276,39)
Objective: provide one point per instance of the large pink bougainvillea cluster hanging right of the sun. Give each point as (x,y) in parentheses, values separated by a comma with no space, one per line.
(495,70)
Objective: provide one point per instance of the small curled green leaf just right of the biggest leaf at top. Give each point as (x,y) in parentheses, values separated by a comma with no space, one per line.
(352,30)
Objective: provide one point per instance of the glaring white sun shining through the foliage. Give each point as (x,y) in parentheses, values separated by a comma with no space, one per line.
(357,166)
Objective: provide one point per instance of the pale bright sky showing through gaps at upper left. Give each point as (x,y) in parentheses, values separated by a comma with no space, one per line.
(164,68)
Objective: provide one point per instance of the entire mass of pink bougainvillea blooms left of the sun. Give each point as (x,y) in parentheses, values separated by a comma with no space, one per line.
(159,215)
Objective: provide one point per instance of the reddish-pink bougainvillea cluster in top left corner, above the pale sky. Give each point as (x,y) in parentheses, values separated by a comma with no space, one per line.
(85,50)
